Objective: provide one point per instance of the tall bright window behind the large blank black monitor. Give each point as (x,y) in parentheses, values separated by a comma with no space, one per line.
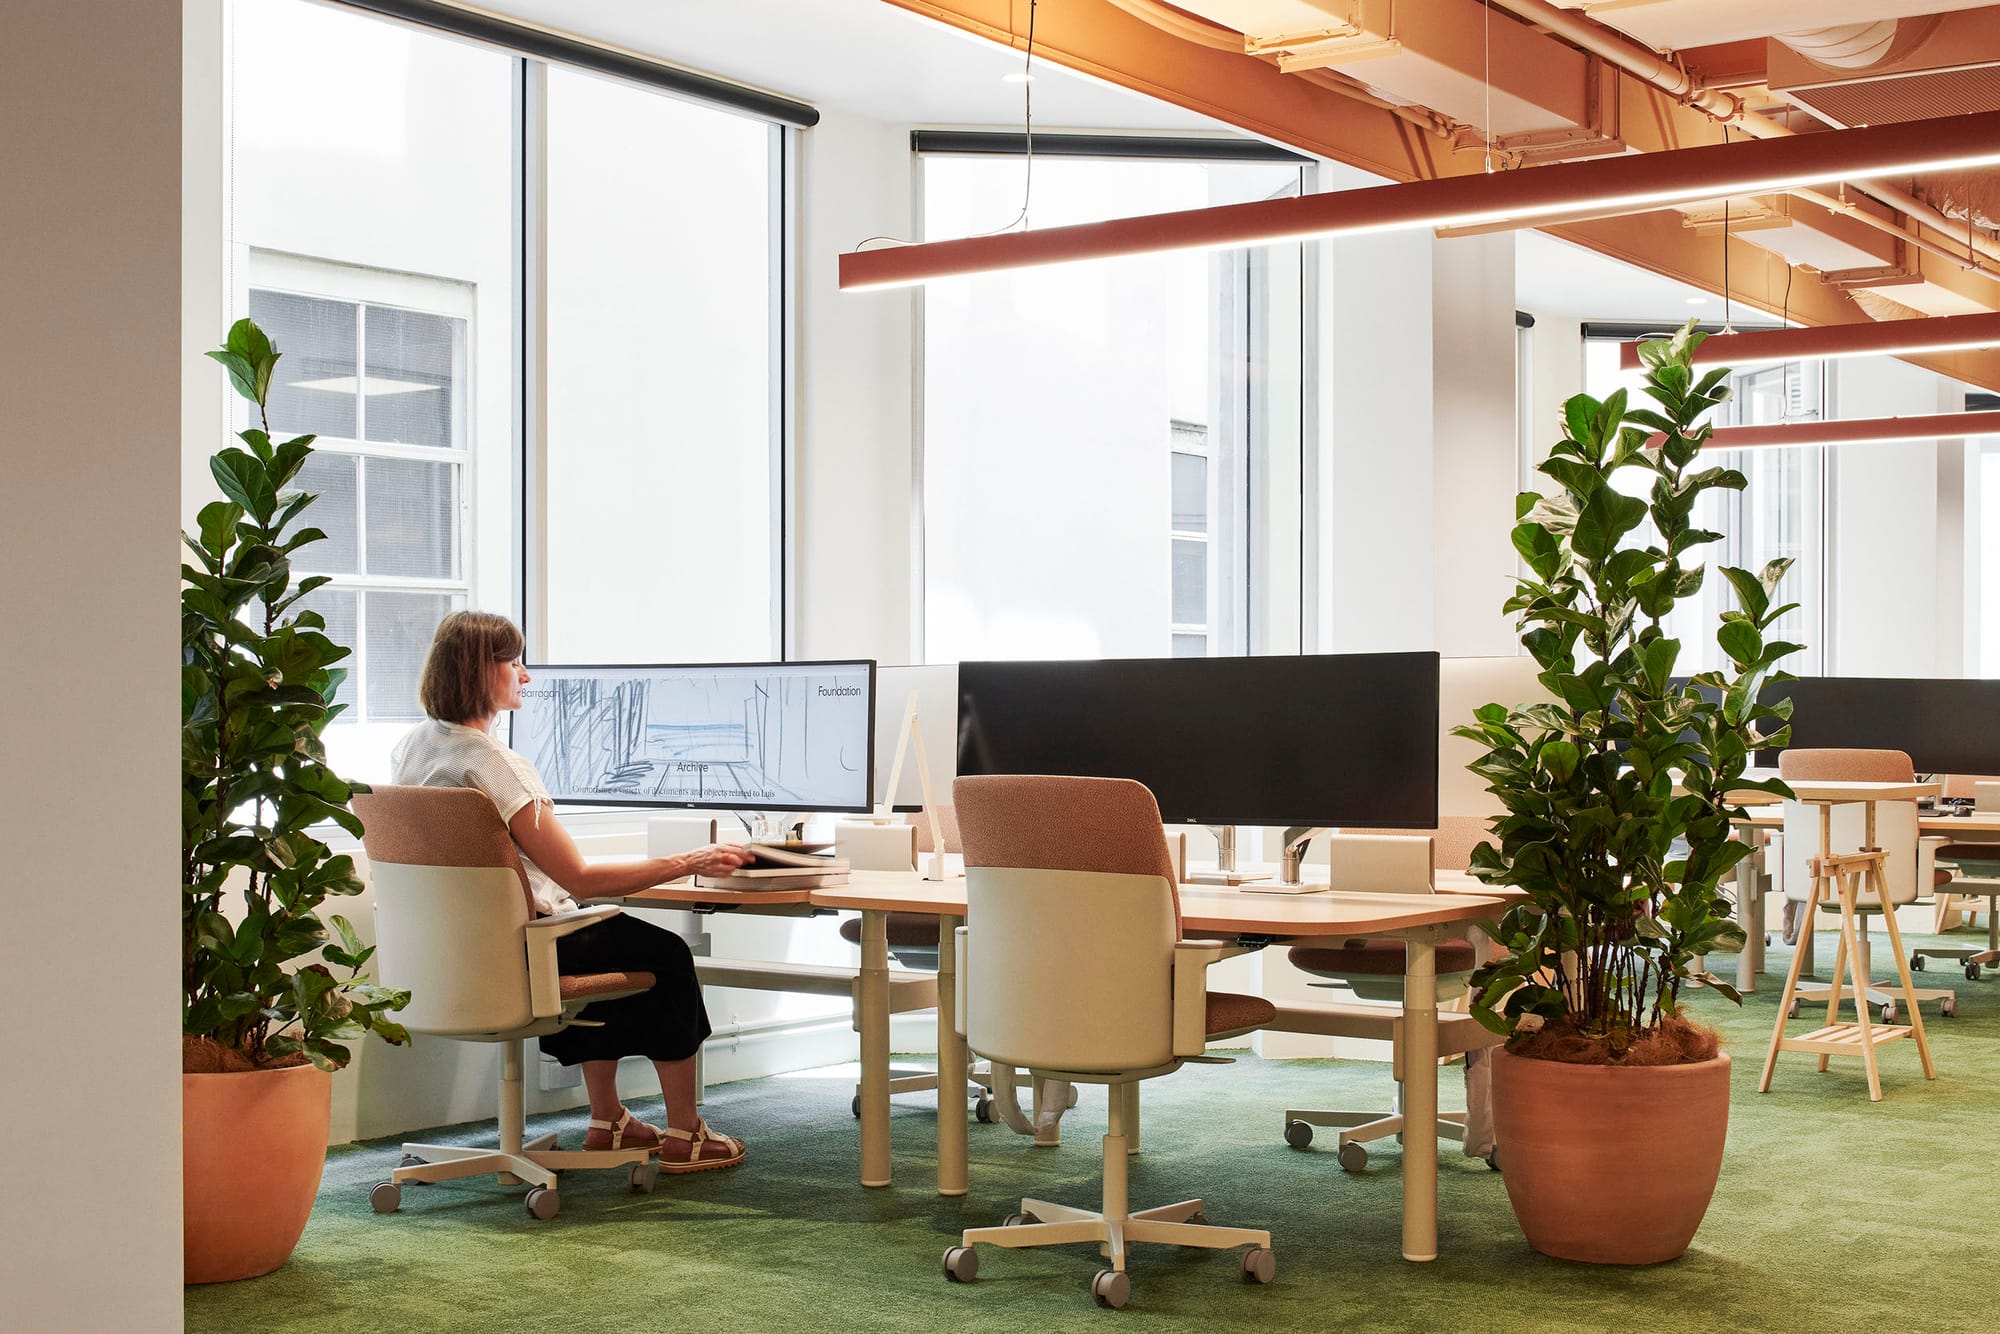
(1099,439)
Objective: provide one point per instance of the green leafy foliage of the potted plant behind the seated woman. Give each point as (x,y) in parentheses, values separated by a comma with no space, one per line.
(257,691)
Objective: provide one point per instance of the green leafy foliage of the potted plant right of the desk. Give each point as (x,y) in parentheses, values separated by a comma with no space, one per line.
(1617,795)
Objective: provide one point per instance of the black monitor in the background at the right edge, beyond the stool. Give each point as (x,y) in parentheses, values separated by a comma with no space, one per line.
(1947,725)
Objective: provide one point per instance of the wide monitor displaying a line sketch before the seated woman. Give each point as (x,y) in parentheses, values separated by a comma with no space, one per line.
(723,737)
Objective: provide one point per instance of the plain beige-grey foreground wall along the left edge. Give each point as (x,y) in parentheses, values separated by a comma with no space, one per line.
(91,103)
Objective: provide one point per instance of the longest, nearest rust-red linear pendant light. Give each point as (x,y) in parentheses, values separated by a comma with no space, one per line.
(1633,183)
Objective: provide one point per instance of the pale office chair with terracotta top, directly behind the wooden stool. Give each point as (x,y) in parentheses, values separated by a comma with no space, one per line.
(1909,873)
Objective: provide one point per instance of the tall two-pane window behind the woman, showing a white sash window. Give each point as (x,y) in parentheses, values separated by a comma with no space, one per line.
(535,319)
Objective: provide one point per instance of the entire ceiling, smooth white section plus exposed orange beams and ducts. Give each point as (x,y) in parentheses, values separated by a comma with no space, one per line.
(1439,89)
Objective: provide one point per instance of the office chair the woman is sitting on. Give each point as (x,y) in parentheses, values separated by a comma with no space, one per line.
(455,925)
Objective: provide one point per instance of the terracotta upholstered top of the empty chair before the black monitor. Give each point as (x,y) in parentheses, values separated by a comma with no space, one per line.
(1051,823)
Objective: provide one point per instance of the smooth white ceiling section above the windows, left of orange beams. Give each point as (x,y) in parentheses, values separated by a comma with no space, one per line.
(859,55)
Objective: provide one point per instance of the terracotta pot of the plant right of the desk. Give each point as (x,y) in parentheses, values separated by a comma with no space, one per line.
(1611,1165)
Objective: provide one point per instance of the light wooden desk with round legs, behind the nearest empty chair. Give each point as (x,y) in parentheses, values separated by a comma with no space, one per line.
(1207,911)
